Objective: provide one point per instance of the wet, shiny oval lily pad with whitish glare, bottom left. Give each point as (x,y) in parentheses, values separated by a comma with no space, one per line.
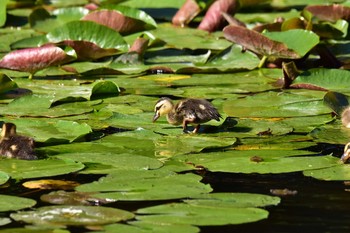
(73,215)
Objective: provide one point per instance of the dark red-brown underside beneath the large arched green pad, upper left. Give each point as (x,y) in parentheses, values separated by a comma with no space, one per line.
(89,51)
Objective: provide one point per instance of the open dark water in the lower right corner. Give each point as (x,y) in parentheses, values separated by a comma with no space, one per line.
(319,206)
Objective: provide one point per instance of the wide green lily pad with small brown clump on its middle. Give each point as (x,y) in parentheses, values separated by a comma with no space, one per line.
(268,161)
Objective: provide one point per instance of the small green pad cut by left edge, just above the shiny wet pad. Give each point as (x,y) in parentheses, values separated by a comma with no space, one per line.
(12,203)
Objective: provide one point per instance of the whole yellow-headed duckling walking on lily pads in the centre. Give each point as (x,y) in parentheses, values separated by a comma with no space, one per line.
(187,111)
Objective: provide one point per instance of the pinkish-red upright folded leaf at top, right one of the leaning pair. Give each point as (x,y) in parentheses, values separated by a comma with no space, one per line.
(214,19)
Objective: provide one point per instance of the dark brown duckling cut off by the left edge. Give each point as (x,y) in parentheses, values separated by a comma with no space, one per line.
(15,146)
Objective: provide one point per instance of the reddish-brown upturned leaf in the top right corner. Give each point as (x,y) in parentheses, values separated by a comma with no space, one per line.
(330,13)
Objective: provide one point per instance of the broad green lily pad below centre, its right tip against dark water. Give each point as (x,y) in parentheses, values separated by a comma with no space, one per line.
(146,185)
